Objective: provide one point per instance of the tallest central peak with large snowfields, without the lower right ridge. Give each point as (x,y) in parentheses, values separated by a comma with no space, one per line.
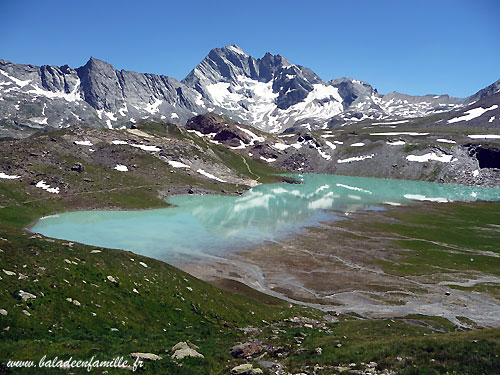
(269,93)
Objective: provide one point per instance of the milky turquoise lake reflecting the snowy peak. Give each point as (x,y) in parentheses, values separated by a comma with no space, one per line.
(212,225)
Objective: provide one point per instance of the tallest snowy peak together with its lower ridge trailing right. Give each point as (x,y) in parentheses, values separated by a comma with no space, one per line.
(273,94)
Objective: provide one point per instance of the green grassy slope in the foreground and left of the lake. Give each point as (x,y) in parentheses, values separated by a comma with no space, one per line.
(165,310)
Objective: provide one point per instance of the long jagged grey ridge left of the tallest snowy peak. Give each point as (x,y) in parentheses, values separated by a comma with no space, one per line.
(32,97)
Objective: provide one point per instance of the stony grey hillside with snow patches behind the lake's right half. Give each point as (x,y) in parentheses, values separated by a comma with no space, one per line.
(413,150)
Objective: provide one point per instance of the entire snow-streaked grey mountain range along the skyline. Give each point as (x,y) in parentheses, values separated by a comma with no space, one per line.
(269,93)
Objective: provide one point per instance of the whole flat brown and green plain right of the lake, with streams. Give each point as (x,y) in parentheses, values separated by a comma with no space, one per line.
(378,264)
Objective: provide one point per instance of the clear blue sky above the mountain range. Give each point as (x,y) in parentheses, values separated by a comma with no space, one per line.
(415,47)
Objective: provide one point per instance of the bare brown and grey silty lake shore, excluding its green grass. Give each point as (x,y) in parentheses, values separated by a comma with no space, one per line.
(346,267)
